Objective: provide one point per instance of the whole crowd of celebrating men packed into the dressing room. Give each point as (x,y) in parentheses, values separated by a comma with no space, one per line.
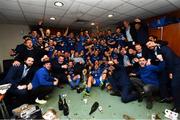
(129,62)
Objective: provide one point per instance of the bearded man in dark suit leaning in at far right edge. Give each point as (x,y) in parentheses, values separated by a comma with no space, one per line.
(173,68)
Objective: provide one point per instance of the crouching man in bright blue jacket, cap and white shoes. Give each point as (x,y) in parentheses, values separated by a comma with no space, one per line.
(42,83)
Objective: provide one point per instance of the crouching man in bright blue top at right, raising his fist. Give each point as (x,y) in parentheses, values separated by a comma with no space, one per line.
(148,84)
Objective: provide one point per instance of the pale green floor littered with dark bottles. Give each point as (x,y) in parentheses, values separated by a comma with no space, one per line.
(112,107)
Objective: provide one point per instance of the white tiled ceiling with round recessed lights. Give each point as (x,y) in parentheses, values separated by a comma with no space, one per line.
(30,11)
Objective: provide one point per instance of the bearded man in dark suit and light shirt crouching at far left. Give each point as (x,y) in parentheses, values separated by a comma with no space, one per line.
(19,77)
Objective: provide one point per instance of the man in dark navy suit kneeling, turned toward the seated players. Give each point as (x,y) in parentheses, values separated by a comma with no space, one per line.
(120,82)
